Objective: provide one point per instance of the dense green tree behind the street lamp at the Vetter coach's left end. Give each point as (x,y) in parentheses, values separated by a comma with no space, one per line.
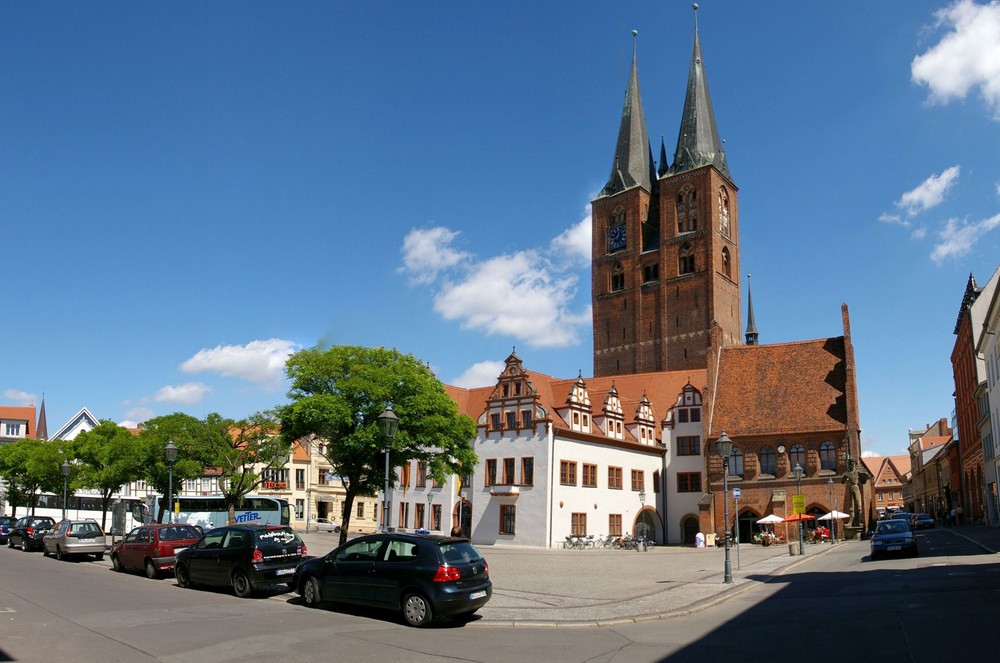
(189,435)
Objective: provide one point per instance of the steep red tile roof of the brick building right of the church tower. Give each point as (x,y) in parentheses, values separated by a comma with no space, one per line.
(783,388)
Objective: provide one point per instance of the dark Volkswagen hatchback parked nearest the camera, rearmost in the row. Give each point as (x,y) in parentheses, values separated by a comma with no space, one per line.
(421,576)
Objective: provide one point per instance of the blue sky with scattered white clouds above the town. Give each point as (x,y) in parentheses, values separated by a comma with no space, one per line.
(190,191)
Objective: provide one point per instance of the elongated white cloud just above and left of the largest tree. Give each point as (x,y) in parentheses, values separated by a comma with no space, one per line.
(260,362)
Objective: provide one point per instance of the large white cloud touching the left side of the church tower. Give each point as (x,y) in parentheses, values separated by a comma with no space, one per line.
(528,294)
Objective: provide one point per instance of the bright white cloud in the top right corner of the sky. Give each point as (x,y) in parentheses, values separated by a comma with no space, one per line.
(967,57)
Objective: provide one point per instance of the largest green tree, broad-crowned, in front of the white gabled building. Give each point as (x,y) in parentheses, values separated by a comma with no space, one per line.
(337,396)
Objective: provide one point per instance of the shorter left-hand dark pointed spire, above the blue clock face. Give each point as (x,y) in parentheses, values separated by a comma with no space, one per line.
(633,164)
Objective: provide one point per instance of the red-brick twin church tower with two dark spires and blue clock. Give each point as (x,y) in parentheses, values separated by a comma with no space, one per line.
(665,252)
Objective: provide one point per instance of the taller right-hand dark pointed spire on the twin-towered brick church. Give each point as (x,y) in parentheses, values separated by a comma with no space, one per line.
(698,142)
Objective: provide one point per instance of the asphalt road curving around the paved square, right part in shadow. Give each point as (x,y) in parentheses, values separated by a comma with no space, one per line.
(830,607)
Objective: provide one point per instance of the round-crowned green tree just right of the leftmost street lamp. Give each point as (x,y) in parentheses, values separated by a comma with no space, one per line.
(109,457)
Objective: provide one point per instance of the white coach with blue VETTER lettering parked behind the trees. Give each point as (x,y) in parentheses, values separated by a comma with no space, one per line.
(210,511)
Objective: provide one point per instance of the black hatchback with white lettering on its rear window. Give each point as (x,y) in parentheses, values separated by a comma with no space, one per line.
(246,557)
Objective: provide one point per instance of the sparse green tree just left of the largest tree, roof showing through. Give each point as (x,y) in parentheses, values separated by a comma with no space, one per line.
(241,451)
